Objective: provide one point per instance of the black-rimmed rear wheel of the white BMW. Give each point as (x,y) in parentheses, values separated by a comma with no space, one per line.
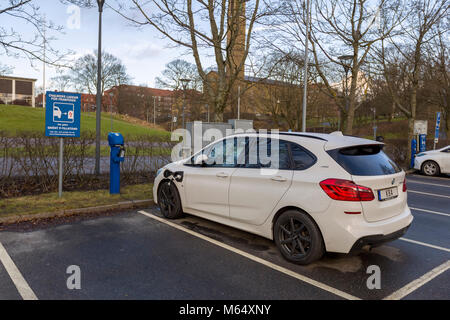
(302,246)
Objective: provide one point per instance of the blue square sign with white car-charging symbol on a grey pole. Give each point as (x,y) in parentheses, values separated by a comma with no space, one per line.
(62,114)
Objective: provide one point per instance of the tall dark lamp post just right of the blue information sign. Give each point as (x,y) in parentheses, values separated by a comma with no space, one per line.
(99,89)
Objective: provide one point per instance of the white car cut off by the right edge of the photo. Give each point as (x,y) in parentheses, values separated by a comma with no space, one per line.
(433,162)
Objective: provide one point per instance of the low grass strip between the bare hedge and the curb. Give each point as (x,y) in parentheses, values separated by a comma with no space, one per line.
(49,202)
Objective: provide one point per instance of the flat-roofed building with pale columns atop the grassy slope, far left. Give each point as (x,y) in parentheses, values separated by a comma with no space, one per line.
(16,90)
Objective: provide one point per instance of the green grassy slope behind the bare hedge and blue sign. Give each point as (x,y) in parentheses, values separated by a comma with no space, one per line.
(18,118)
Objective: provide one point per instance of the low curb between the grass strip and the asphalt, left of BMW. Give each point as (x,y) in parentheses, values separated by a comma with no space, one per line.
(136,204)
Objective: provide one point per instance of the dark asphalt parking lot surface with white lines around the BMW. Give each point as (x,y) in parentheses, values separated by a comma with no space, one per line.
(139,255)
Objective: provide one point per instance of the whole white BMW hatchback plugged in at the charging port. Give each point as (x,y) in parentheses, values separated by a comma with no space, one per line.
(322,192)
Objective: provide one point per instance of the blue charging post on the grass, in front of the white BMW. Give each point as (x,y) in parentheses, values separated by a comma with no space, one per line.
(117,155)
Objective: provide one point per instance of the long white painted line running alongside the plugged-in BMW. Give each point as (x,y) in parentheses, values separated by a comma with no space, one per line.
(256,259)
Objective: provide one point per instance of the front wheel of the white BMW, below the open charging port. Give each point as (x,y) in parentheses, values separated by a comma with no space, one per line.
(169,200)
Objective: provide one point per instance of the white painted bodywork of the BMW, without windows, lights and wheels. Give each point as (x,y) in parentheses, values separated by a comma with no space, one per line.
(255,211)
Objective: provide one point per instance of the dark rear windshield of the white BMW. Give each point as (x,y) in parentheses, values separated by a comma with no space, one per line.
(367,160)
